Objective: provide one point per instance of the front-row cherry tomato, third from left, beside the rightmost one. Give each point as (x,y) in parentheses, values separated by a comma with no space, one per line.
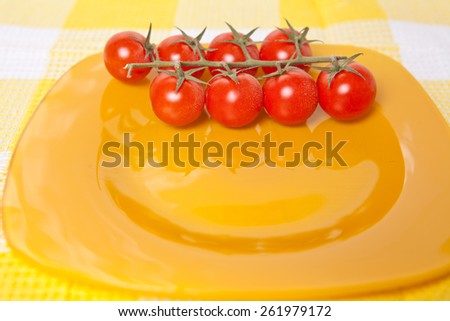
(291,97)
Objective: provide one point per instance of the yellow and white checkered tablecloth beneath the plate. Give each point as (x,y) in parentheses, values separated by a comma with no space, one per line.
(41,39)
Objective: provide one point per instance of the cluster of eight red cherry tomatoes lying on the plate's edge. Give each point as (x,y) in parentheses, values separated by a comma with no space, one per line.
(235,98)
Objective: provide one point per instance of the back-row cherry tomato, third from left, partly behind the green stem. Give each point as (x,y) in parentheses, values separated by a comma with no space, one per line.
(229,52)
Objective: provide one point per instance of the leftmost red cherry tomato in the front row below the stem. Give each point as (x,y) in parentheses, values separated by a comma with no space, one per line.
(177,108)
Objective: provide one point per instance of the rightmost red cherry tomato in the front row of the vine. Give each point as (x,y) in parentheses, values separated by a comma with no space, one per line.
(349,95)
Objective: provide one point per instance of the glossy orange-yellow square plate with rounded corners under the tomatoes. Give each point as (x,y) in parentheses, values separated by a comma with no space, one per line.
(232,232)
